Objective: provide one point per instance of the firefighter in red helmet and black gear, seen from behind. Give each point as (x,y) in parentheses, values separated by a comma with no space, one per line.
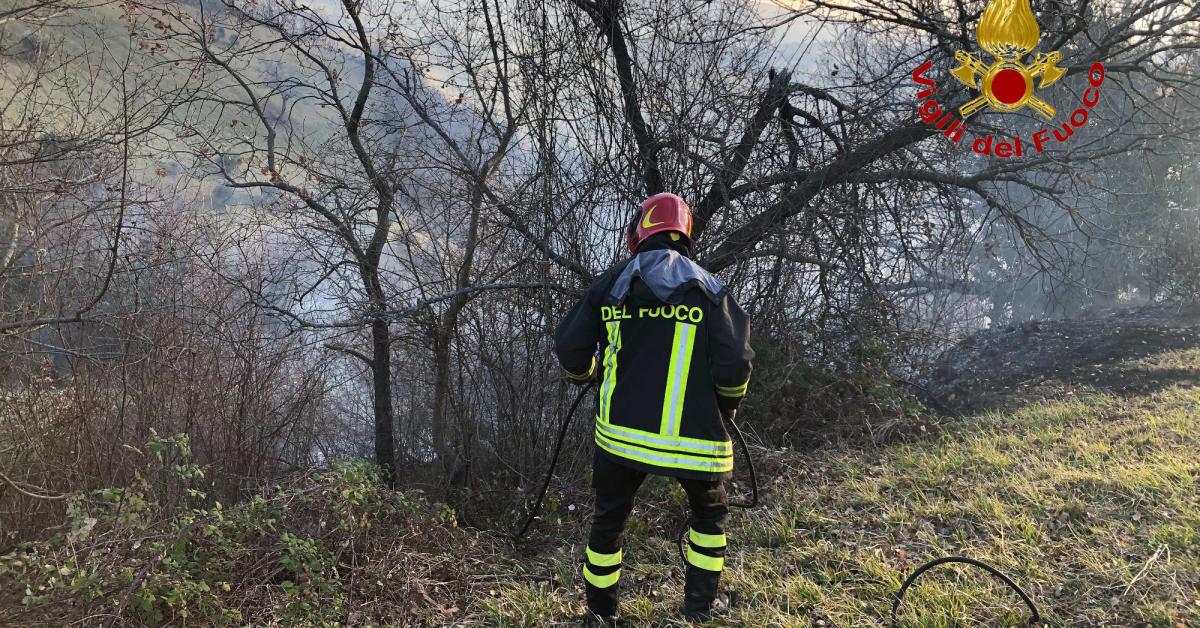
(675,362)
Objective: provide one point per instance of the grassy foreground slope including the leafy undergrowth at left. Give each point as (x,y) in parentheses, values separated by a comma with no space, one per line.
(1089,500)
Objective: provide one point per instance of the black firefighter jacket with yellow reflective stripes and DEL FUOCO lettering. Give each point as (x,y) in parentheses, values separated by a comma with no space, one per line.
(675,356)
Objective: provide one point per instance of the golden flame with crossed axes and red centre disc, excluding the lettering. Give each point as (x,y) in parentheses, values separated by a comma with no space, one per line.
(1009,32)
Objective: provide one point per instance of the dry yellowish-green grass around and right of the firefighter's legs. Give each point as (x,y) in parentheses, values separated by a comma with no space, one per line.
(1089,501)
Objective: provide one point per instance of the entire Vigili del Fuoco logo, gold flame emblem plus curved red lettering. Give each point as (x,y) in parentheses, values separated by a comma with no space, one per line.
(1007,32)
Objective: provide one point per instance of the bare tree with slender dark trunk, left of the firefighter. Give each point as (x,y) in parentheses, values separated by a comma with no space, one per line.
(347,183)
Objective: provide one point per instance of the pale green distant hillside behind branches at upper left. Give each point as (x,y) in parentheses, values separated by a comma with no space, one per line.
(80,92)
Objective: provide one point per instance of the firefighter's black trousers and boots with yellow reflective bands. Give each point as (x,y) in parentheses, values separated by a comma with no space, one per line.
(615,489)
